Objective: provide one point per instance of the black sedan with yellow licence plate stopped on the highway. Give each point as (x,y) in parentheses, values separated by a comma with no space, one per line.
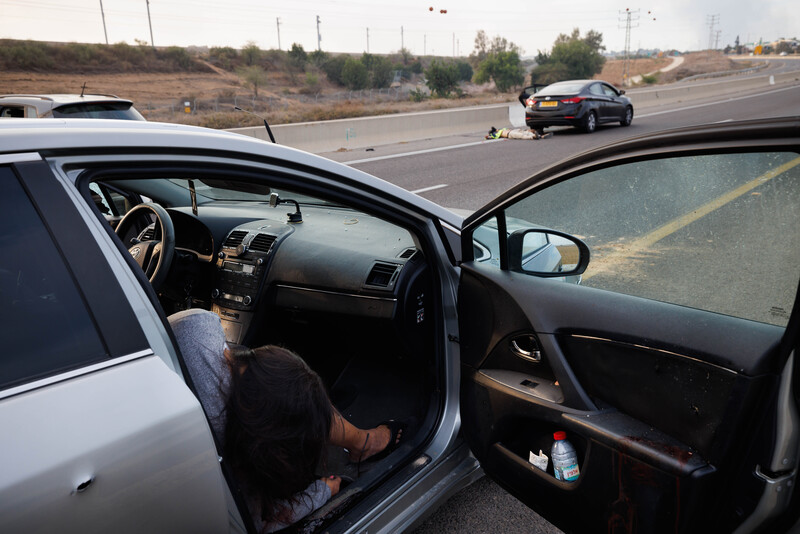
(581,103)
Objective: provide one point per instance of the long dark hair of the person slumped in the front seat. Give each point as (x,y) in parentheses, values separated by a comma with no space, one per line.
(278,424)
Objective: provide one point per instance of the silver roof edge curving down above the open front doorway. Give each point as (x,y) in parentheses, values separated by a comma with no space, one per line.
(82,135)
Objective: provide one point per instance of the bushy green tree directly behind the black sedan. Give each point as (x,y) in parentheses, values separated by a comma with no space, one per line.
(571,57)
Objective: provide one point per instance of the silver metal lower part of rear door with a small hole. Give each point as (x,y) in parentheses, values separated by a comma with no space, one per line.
(83,453)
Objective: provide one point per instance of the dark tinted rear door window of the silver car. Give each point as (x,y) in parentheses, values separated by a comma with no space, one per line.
(47,328)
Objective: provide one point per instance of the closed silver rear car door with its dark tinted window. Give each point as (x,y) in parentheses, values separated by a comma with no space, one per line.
(101,434)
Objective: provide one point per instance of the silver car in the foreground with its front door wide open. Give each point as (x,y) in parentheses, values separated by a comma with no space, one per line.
(676,384)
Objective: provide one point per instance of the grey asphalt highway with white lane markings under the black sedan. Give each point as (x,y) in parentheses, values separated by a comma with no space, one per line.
(467,172)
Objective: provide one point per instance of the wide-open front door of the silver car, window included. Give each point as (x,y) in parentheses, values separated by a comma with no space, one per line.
(671,365)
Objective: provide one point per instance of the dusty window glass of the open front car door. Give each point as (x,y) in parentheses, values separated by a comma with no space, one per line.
(714,232)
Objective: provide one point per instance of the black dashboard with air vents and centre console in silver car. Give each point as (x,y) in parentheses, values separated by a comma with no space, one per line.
(336,261)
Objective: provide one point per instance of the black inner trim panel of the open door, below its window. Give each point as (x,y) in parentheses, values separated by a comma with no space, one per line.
(654,417)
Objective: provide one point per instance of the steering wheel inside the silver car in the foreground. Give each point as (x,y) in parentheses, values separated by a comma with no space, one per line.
(153,256)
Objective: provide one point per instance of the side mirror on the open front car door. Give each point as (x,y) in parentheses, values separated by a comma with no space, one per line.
(547,253)
